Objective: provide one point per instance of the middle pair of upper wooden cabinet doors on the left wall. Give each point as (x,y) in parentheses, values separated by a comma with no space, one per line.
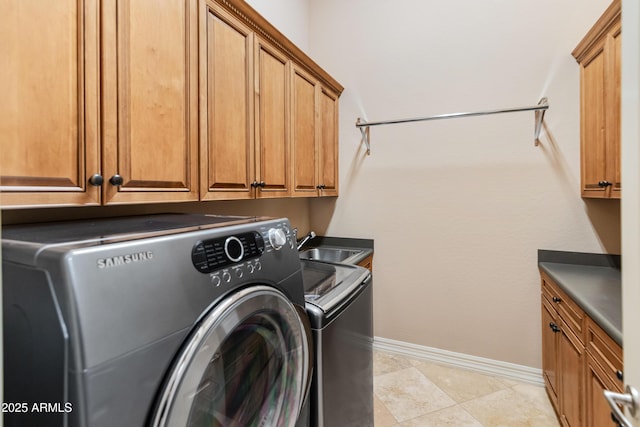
(245,139)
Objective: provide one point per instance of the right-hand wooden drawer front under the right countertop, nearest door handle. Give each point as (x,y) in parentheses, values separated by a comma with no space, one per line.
(606,352)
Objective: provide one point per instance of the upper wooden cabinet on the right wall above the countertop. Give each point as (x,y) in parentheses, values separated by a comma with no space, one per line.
(598,55)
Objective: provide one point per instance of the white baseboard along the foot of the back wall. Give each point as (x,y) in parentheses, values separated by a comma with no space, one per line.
(480,364)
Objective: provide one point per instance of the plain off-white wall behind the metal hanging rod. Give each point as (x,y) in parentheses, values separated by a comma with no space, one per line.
(458,208)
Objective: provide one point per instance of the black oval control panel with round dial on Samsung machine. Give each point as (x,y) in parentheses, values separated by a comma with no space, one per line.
(213,254)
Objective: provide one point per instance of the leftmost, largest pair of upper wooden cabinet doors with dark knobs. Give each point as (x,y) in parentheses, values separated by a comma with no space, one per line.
(75,136)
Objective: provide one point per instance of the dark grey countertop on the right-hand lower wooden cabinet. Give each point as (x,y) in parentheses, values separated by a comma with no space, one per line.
(593,281)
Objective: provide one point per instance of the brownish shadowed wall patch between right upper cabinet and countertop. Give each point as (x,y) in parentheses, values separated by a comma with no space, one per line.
(605,218)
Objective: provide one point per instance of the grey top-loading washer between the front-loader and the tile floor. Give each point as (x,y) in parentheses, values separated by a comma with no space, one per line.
(340,308)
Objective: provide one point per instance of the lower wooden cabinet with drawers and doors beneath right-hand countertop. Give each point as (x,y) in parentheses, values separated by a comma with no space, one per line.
(579,361)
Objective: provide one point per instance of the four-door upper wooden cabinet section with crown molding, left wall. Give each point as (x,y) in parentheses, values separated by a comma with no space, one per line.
(270,112)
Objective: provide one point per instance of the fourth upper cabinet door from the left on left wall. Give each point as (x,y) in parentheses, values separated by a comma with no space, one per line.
(272,126)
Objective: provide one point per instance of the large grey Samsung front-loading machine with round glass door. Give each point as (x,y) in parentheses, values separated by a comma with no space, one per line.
(162,320)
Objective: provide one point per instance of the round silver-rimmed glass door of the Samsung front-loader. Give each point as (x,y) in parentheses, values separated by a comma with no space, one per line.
(248,363)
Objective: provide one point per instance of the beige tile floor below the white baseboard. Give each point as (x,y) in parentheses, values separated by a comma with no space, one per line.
(411,393)
